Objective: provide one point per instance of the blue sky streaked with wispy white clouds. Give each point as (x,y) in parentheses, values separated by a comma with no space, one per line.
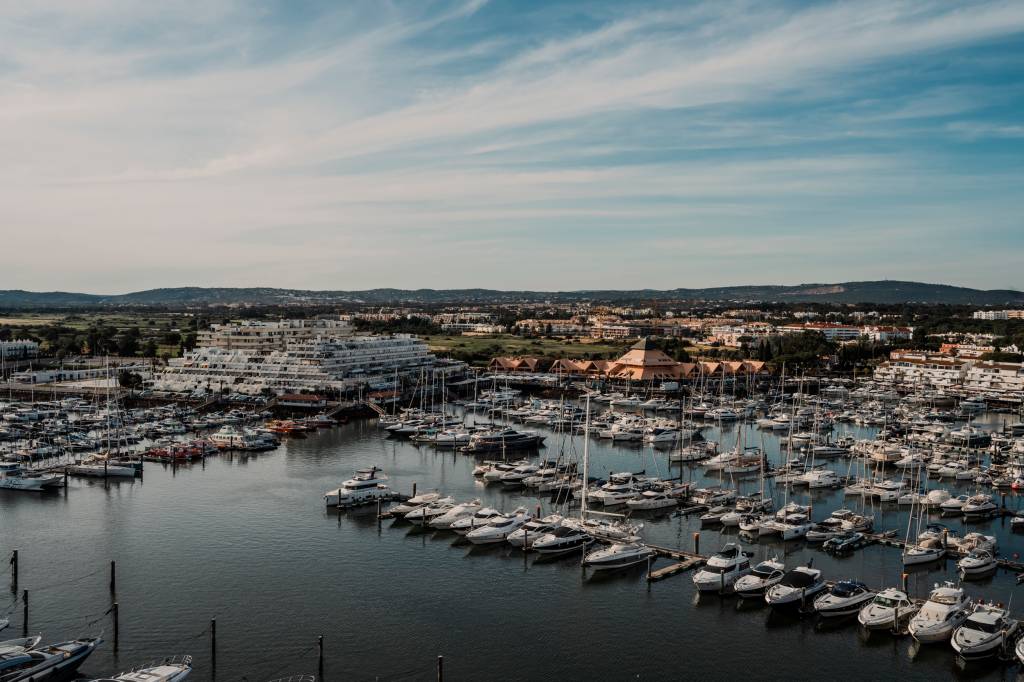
(509,145)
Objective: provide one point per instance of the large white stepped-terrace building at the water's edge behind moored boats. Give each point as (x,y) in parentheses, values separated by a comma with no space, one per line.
(319,364)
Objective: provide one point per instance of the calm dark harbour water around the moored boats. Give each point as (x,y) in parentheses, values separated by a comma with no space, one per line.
(247,540)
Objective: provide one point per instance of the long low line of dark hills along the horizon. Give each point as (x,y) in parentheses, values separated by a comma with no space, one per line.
(849,292)
